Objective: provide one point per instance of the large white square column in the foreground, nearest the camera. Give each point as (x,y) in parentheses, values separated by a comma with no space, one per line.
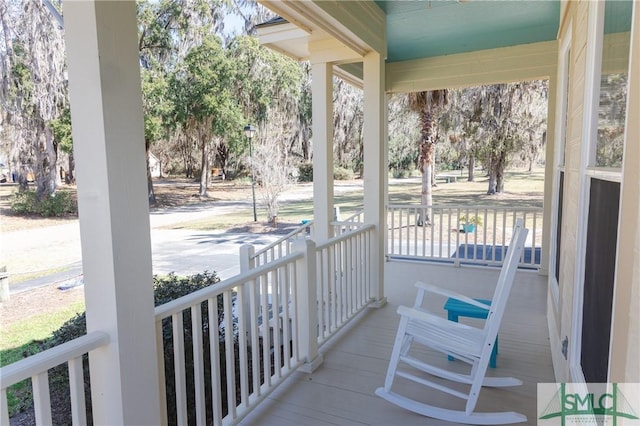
(106,112)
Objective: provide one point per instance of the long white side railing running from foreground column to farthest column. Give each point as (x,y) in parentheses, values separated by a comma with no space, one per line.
(223,349)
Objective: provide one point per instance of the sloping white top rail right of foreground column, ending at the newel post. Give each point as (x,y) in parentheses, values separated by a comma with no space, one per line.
(201,295)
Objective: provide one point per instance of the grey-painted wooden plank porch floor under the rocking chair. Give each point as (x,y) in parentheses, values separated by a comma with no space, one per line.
(341,391)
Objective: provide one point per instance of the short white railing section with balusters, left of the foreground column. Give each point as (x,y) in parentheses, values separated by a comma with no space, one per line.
(36,368)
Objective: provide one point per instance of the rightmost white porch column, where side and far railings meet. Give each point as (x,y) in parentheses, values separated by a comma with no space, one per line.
(375,165)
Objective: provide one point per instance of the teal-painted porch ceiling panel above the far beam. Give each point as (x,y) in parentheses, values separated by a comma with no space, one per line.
(419,29)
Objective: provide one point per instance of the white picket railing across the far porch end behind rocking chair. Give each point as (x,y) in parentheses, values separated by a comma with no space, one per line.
(445,239)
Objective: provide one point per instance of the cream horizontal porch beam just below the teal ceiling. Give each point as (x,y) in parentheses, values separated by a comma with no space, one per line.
(508,64)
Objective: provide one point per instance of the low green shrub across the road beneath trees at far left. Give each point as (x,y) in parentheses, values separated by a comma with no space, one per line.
(60,203)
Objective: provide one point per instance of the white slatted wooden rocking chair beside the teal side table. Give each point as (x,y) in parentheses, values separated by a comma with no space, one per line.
(469,344)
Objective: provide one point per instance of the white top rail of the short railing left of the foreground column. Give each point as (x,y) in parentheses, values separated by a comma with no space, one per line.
(43,361)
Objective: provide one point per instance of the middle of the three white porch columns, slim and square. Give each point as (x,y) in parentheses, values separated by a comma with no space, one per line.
(322,113)
